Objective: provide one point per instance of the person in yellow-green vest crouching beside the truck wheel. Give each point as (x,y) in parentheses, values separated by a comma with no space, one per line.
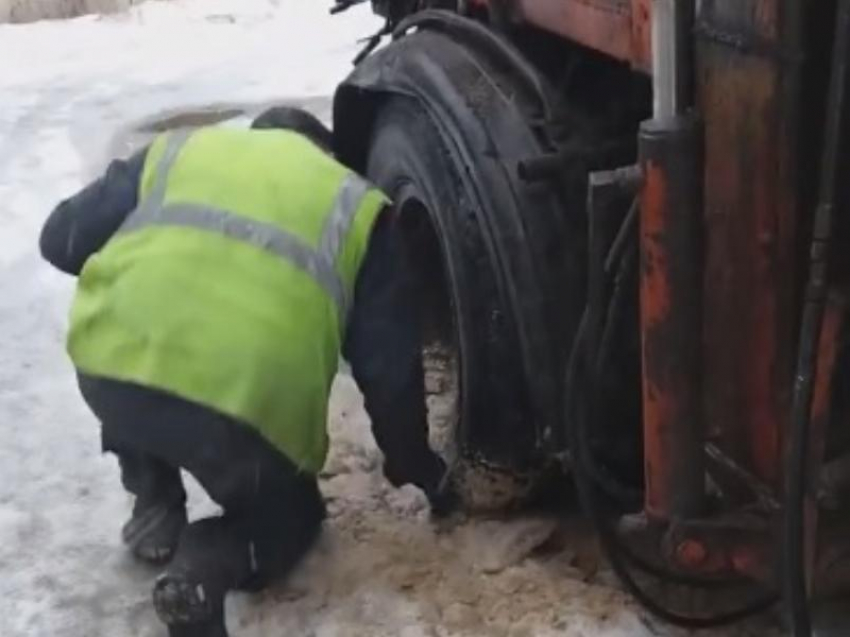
(221,274)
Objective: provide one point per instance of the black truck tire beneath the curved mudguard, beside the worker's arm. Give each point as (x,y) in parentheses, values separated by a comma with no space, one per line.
(472,369)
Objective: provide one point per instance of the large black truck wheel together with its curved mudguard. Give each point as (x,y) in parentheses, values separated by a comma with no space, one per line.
(468,140)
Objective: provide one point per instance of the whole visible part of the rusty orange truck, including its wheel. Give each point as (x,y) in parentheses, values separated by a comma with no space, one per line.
(630,231)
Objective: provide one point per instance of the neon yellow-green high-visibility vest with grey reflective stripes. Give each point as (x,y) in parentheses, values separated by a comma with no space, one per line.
(230,284)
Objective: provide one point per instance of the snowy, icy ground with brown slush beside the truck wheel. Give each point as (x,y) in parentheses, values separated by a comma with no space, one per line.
(72,93)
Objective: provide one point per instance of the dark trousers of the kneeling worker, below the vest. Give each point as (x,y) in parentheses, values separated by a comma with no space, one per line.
(272,512)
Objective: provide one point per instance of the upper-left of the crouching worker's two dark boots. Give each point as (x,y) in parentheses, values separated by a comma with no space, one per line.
(154,529)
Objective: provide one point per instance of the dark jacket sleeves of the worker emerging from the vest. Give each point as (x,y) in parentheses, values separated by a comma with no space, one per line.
(382,343)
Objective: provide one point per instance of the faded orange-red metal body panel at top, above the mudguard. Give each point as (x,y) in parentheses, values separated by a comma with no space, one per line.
(618,28)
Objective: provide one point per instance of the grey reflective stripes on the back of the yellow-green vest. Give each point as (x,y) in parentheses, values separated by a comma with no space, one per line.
(319,264)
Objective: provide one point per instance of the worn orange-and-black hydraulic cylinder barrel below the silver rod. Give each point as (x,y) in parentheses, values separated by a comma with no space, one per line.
(670,312)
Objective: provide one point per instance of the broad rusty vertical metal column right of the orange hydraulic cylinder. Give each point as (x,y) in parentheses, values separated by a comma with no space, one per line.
(747,94)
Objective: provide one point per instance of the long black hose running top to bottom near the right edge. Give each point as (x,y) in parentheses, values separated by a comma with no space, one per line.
(794,545)
